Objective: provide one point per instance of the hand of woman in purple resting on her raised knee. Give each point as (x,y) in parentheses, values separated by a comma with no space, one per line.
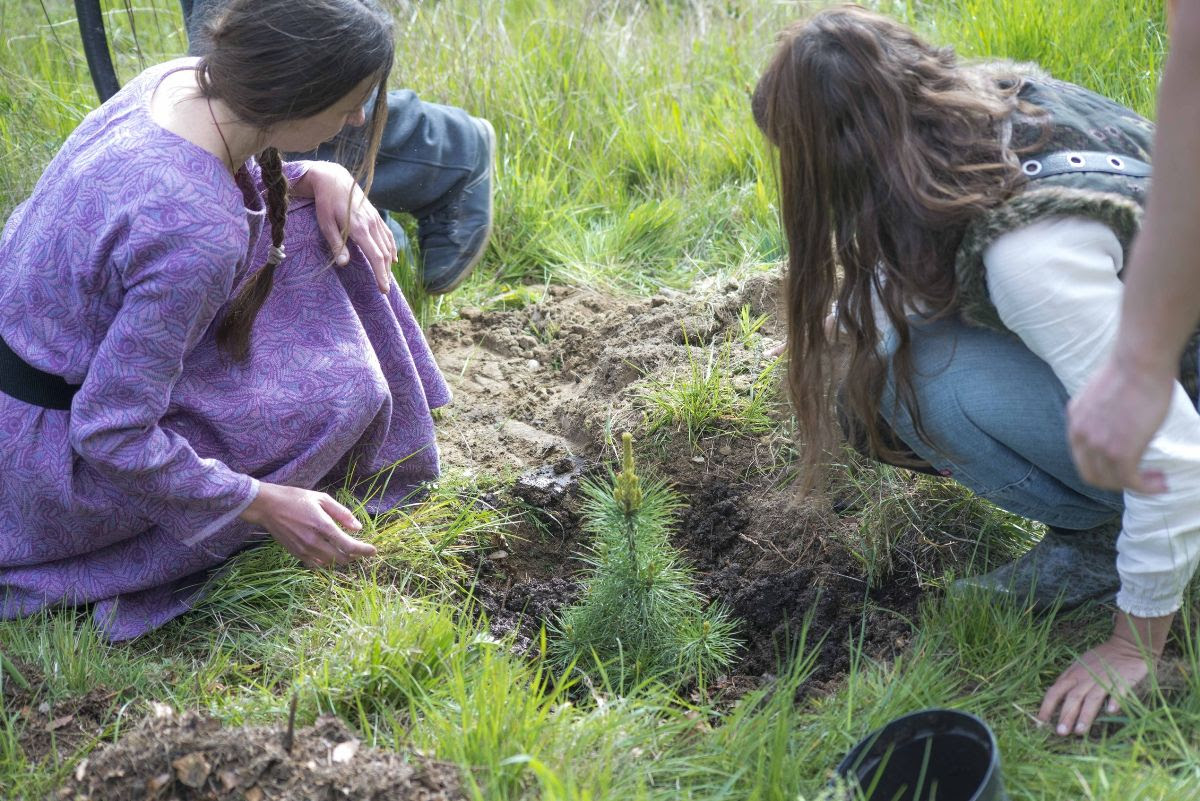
(343,206)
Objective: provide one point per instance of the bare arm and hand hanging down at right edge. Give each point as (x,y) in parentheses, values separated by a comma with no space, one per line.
(1115,417)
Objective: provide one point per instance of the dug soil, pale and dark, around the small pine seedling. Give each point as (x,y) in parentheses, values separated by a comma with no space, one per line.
(542,394)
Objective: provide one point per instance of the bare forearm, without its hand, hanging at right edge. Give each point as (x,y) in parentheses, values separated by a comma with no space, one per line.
(1163,276)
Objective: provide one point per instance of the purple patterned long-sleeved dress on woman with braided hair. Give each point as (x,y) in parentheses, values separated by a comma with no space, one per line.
(112,275)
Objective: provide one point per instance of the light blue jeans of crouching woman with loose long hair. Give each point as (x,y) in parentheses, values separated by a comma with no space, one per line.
(995,418)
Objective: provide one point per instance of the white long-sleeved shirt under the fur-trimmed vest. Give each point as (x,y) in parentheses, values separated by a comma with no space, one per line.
(1055,286)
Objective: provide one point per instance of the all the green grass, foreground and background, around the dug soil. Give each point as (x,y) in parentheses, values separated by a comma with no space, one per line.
(628,161)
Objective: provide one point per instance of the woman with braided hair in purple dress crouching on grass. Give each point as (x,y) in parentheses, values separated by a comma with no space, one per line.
(181,362)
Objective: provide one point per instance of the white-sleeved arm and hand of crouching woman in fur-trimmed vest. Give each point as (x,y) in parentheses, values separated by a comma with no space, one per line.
(1055,285)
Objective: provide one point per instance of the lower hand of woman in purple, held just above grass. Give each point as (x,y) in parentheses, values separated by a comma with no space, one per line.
(308,525)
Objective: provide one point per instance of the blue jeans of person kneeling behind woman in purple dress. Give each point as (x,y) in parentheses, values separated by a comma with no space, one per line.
(427,154)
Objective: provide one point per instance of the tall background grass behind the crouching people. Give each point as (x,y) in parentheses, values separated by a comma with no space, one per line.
(628,158)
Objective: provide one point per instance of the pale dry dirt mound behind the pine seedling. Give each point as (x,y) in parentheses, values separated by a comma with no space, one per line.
(550,380)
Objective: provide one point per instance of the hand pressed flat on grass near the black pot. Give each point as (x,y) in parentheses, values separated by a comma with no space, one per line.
(1106,674)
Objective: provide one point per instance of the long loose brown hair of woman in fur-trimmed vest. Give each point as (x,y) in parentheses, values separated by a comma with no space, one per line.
(887,148)
